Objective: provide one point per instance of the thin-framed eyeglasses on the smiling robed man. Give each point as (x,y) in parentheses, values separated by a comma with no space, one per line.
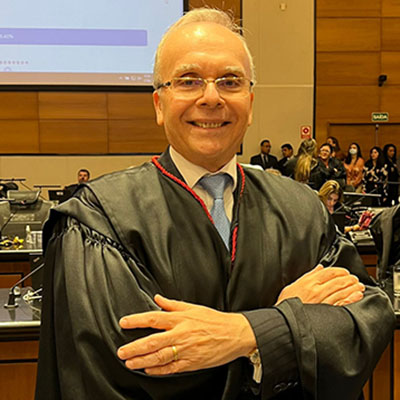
(195,86)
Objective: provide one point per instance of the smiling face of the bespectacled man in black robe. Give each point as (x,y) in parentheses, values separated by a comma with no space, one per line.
(208,129)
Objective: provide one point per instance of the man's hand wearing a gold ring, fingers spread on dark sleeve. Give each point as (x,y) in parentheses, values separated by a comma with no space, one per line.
(195,337)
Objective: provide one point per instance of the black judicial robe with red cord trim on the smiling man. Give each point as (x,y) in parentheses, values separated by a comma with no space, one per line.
(129,235)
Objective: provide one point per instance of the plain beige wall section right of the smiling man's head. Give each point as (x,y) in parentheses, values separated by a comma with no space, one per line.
(280,35)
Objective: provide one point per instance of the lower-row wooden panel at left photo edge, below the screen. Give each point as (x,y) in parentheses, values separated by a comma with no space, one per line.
(19,136)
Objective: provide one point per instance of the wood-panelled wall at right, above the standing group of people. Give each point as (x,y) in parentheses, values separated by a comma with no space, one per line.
(357,41)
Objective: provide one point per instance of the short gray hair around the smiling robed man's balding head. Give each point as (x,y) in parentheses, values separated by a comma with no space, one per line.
(203,14)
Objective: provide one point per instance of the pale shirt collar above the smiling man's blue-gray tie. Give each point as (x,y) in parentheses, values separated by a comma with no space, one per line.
(192,173)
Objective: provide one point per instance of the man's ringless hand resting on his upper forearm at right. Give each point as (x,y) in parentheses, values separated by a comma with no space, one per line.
(332,285)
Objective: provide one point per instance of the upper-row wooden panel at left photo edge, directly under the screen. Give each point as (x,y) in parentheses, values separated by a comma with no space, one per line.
(18,105)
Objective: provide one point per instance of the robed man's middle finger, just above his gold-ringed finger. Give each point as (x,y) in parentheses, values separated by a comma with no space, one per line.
(146,345)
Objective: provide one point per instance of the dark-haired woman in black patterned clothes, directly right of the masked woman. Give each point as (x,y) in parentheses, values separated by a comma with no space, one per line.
(375,176)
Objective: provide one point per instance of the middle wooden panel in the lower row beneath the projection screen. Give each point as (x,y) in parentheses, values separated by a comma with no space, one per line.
(73,137)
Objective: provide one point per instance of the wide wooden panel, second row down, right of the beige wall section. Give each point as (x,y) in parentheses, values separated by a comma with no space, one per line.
(348,34)
